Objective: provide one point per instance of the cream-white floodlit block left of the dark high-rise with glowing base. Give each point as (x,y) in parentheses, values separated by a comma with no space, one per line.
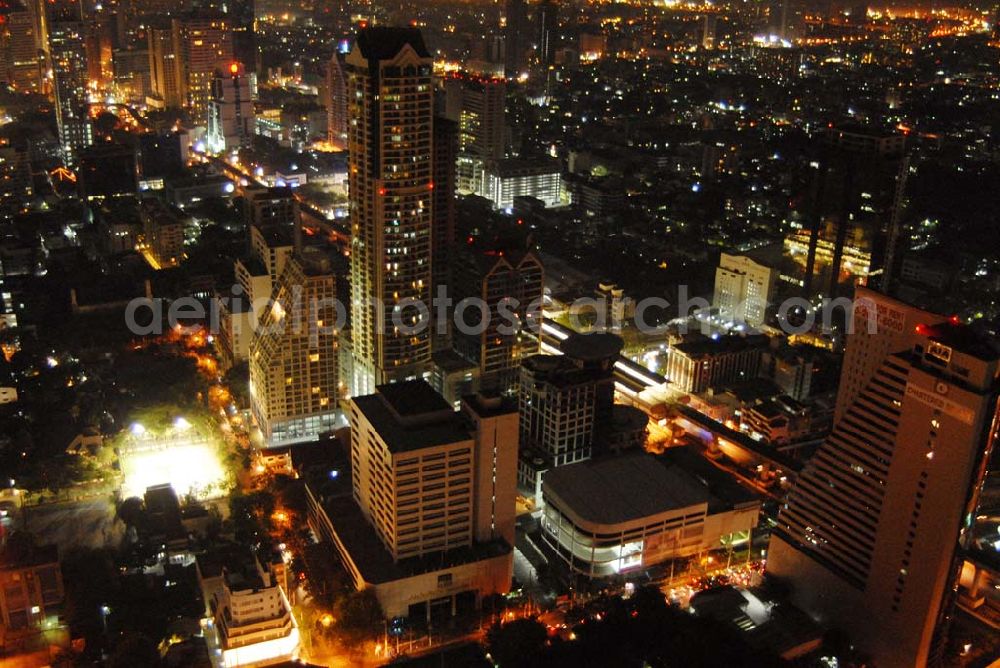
(743,289)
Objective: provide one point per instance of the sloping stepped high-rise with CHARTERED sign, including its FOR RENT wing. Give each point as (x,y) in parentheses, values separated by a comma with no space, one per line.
(870,536)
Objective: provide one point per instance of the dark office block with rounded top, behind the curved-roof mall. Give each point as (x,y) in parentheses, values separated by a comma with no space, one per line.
(566,405)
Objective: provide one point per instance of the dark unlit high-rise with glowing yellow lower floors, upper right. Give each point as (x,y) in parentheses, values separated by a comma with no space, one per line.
(856,194)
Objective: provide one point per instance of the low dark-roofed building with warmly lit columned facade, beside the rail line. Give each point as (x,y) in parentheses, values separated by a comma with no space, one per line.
(702,362)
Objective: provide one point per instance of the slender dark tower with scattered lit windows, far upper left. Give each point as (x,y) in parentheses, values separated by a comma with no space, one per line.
(68,56)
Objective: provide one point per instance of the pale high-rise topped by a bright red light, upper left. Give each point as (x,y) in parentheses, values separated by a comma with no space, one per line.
(230,111)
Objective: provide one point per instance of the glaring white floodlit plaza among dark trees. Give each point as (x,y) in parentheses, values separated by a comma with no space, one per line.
(177,456)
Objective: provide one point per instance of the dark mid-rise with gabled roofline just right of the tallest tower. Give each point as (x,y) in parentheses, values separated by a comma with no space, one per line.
(509,280)
